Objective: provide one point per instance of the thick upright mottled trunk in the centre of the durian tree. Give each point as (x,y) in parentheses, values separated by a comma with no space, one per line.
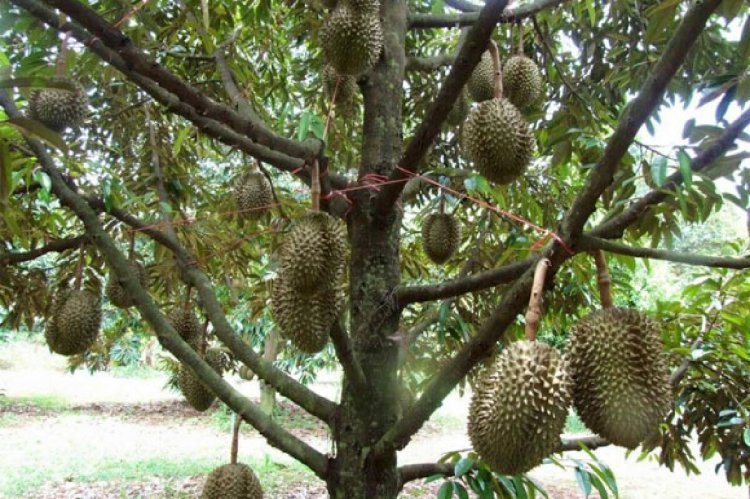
(365,414)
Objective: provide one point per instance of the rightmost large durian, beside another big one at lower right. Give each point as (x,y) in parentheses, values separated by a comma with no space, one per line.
(620,377)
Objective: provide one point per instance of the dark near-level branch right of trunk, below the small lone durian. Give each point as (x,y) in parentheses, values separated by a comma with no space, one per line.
(462,285)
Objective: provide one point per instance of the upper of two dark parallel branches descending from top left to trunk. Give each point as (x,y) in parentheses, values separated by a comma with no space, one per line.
(140,63)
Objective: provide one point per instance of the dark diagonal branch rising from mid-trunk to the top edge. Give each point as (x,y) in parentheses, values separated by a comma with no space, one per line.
(468,56)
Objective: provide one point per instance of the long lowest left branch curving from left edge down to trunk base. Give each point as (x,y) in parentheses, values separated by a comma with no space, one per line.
(274,433)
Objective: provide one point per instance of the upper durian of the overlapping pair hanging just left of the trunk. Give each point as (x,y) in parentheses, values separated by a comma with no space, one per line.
(313,253)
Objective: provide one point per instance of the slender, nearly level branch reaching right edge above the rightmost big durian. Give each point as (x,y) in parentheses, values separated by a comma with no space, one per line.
(591,243)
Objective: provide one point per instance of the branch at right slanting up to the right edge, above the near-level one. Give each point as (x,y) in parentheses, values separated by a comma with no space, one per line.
(615,226)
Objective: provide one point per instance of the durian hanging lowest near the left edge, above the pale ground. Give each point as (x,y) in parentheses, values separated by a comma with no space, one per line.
(75,322)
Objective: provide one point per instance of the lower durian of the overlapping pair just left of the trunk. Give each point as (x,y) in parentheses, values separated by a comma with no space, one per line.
(305,320)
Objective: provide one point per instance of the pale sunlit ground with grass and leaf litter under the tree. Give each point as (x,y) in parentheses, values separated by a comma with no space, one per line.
(99,436)
